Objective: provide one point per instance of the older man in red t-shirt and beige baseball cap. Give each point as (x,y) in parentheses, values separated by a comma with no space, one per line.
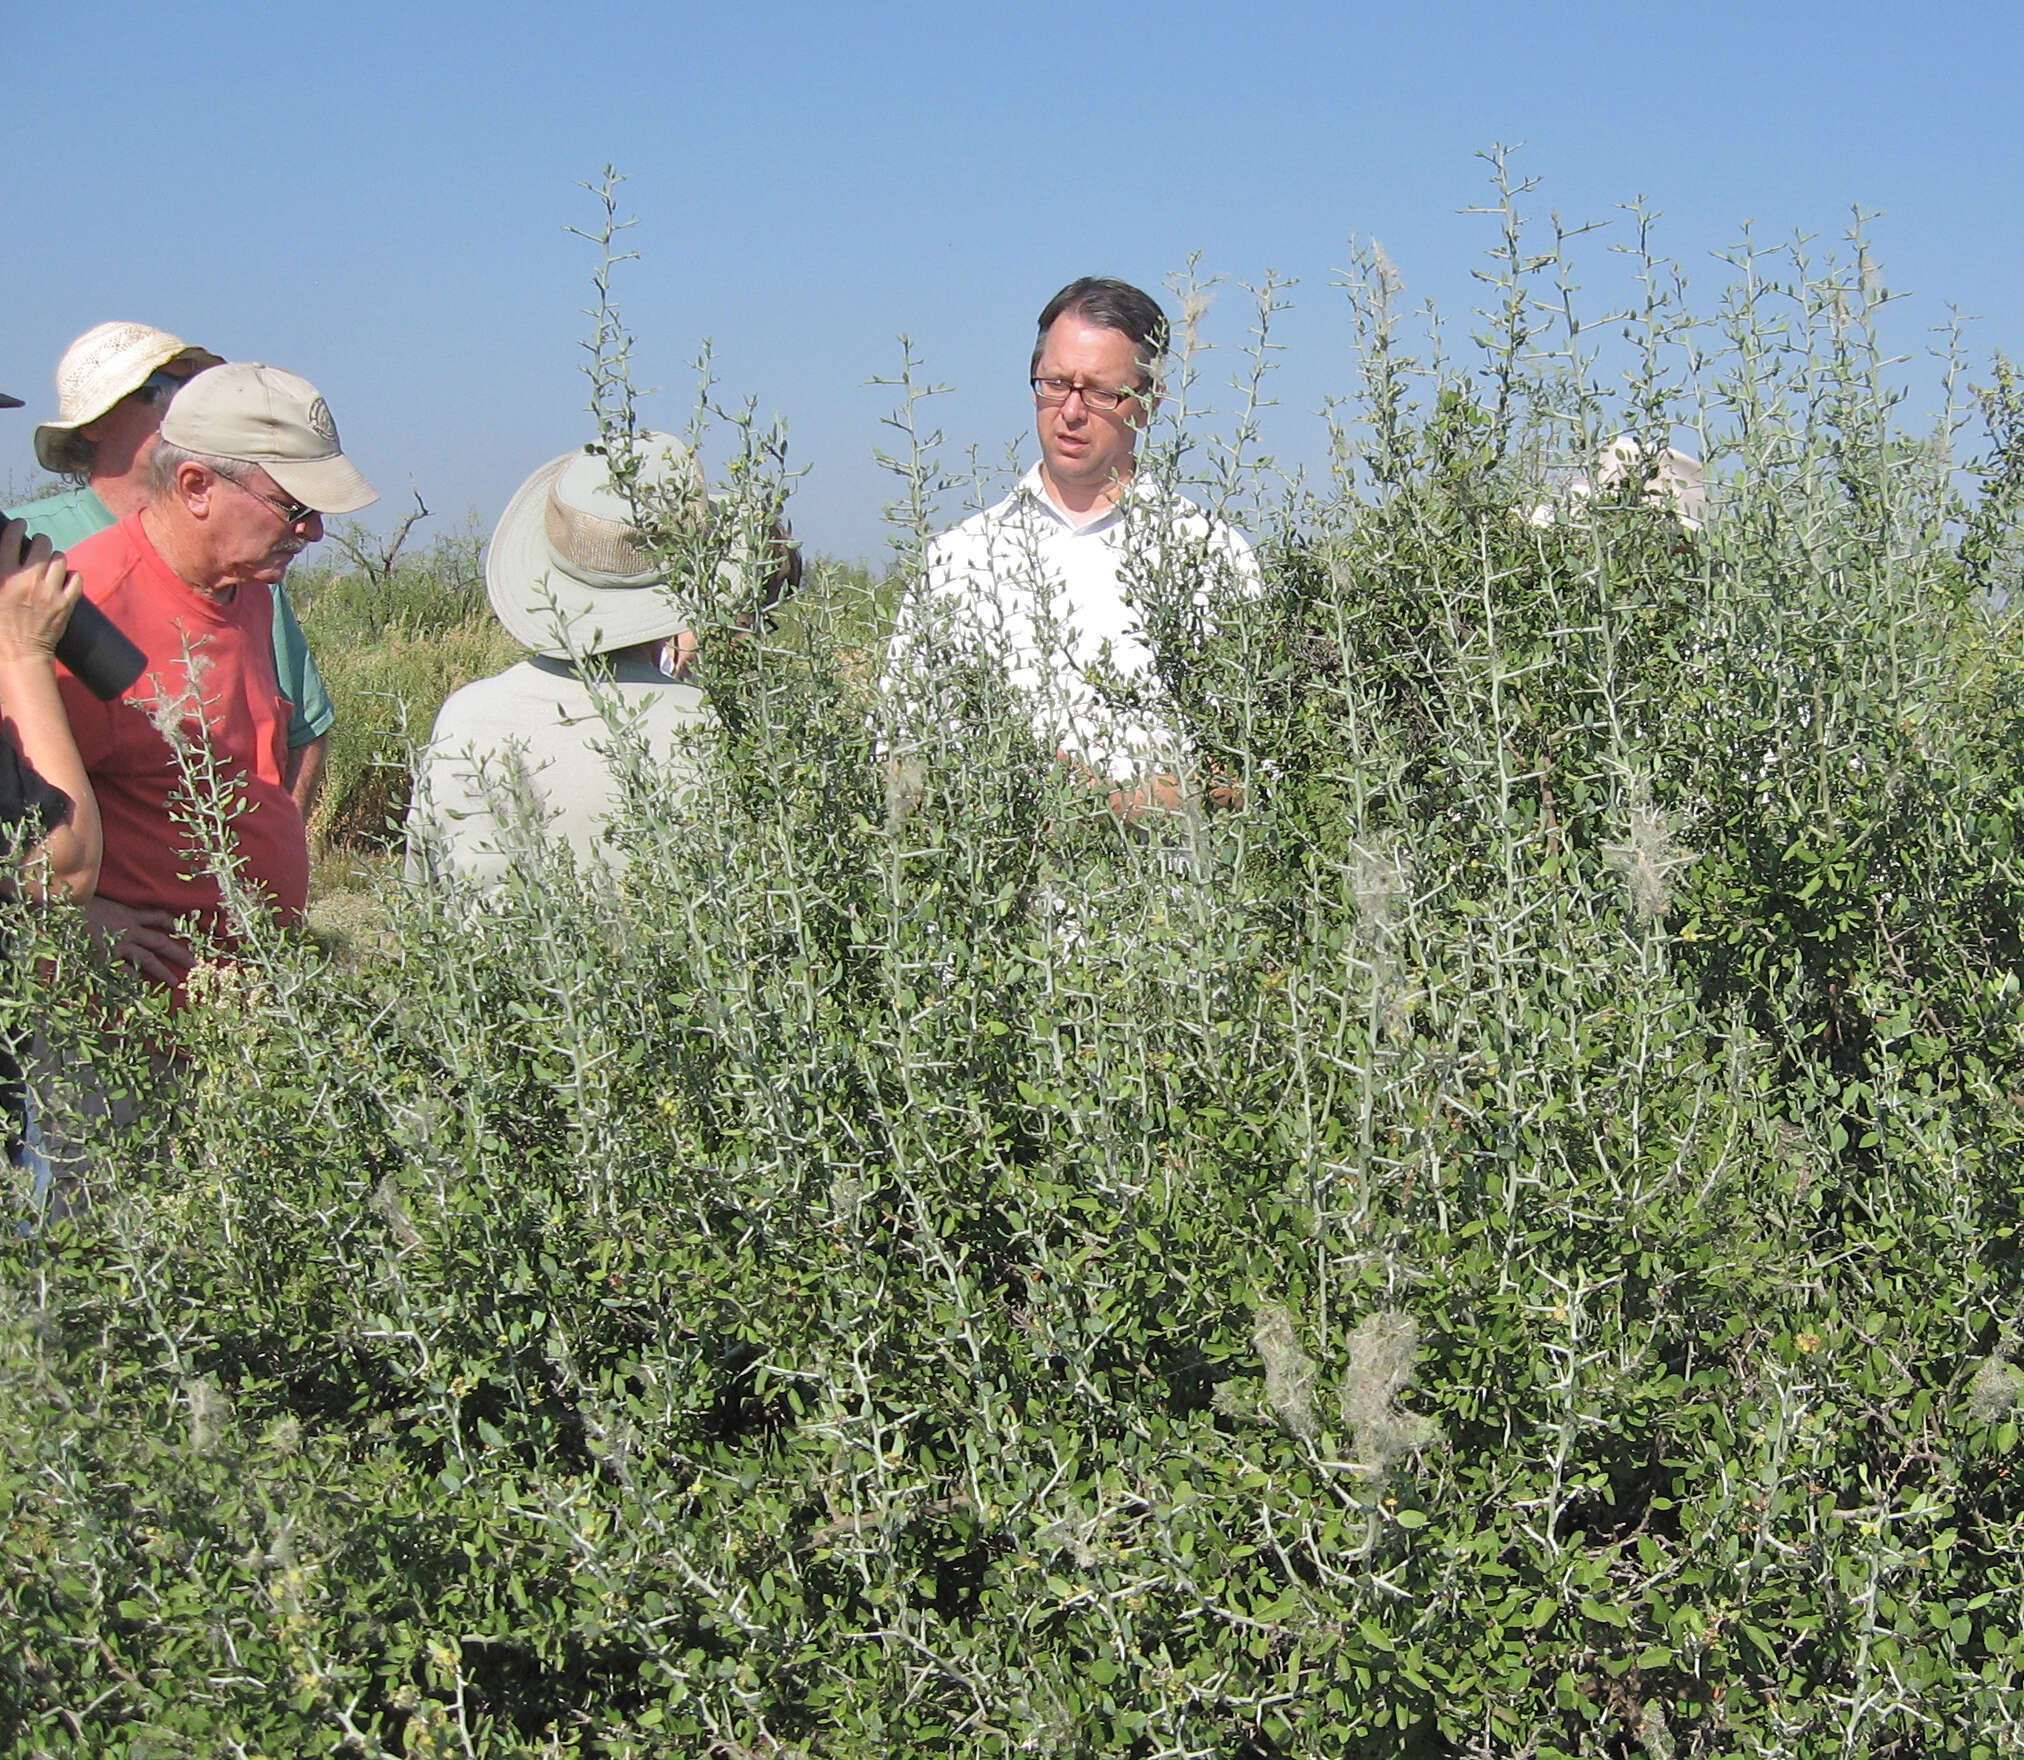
(242,478)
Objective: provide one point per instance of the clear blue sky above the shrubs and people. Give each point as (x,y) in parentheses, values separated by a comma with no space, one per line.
(375,195)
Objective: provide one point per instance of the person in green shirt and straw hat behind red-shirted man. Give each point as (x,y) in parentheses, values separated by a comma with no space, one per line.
(112,389)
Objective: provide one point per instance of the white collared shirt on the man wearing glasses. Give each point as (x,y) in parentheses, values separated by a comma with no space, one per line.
(1066,610)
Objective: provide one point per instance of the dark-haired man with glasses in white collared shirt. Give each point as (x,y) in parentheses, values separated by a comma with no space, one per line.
(1062,582)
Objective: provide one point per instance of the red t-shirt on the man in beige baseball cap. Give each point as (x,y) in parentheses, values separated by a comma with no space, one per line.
(238,709)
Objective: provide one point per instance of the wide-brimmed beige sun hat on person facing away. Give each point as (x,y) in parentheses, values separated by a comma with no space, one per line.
(570,571)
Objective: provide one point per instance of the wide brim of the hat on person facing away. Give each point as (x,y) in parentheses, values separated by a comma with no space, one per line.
(552,612)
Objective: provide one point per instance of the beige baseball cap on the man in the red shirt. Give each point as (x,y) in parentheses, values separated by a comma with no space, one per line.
(264,416)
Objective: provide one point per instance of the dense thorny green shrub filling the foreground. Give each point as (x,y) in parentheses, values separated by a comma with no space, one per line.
(1499,1243)
